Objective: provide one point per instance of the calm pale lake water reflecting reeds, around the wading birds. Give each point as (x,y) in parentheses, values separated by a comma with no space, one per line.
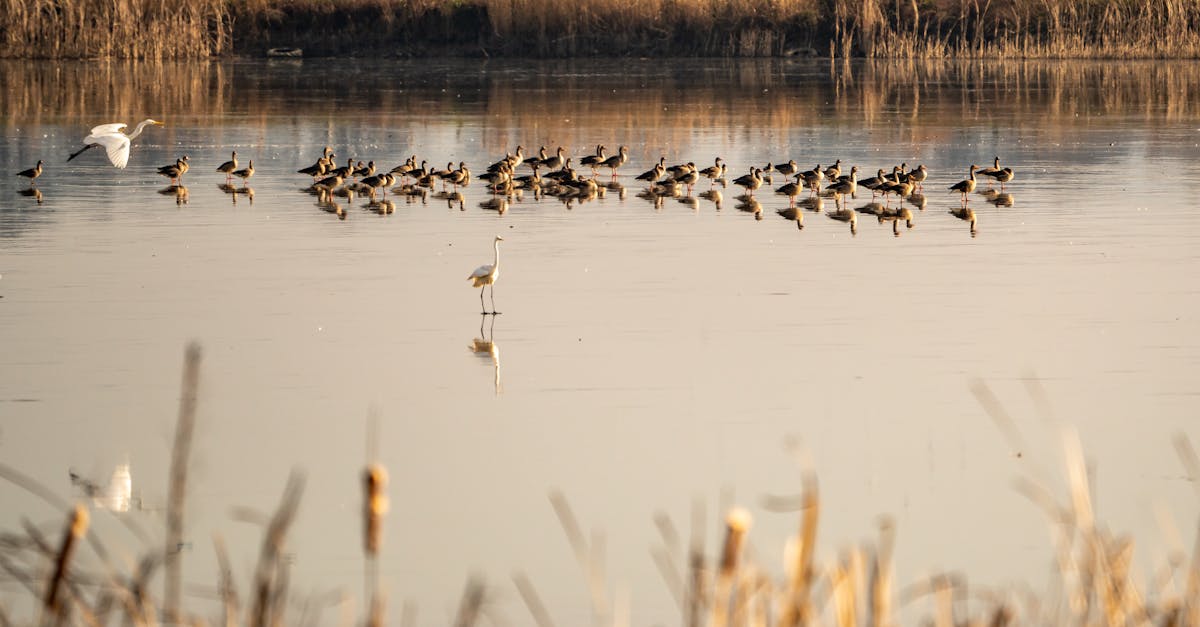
(650,354)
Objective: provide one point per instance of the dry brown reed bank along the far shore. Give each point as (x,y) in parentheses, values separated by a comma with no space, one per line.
(147,29)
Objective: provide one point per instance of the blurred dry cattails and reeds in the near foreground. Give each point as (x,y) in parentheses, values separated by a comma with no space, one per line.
(1096,582)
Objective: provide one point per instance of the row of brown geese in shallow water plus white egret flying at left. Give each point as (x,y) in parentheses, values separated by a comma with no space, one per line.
(512,178)
